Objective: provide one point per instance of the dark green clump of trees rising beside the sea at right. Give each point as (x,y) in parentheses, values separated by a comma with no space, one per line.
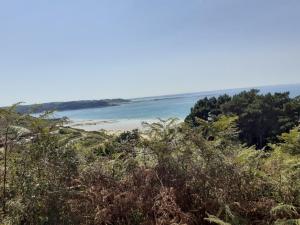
(260,117)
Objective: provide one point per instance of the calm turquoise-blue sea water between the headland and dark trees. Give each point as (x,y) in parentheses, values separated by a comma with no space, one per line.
(163,106)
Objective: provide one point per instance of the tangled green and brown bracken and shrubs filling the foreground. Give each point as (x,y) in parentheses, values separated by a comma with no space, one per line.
(170,173)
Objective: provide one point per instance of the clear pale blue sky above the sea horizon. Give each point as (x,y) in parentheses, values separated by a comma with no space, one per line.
(60,50)
